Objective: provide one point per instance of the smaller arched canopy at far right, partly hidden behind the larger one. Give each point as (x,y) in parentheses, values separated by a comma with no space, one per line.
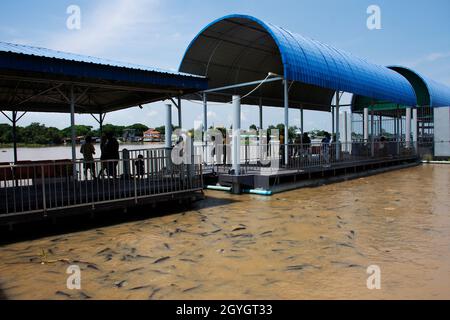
(429,94)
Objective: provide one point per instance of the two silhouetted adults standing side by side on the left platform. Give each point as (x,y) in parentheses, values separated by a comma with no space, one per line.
(109,148)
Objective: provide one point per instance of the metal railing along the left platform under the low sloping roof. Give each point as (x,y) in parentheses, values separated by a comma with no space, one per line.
(52,185)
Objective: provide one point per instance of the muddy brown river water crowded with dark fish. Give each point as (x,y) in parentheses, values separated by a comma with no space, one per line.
(305,244)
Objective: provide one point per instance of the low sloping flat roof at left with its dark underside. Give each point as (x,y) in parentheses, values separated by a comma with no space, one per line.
(38,79)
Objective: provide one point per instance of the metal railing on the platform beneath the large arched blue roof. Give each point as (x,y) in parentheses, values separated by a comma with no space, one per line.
(217,158)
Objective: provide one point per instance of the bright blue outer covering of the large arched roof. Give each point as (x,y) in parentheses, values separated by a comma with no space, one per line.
(312,62)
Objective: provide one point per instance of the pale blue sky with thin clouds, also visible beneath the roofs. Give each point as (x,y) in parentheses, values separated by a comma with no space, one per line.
(157,32)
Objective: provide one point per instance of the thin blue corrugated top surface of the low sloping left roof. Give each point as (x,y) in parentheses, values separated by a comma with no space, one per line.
(54,54)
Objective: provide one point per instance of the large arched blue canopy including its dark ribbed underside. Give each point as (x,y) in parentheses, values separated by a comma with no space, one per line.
(238,49)
